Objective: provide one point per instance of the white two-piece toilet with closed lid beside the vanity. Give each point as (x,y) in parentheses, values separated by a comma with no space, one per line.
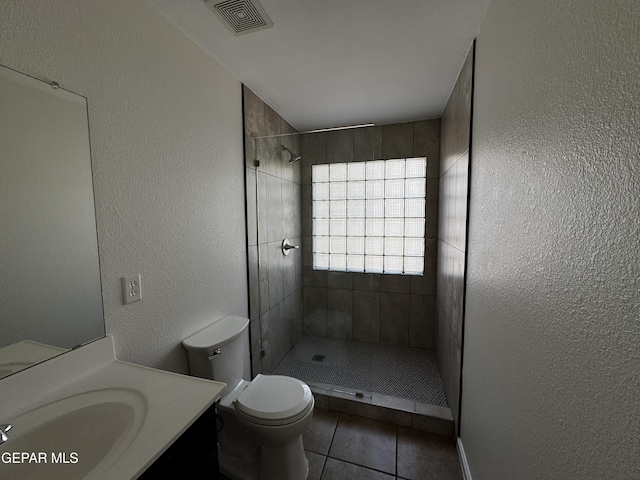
(263,419)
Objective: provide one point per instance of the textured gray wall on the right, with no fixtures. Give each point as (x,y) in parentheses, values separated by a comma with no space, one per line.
(551,369)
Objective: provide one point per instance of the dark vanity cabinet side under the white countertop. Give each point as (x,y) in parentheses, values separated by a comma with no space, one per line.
(193,455)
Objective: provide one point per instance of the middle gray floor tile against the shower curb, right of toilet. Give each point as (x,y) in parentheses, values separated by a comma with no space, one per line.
(365,442)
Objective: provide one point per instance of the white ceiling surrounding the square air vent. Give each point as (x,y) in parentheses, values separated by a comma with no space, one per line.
(329,63)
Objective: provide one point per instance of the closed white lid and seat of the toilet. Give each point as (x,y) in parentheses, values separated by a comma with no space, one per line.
(274,400)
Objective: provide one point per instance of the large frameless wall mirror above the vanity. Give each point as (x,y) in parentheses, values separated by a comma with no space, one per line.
(50,293)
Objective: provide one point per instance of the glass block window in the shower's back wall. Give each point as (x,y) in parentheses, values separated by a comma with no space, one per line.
(370,216)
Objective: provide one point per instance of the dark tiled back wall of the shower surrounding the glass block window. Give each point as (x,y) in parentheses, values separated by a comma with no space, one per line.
(381,321)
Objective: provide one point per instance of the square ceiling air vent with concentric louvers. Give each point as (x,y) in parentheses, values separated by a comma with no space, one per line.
(241,16)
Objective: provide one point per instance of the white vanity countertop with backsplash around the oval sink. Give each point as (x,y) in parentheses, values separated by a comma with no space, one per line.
(166,403)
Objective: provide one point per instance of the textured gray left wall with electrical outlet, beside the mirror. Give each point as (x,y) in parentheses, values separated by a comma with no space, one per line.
(166,142)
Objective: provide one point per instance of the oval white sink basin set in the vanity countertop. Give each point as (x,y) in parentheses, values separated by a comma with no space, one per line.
(75,437)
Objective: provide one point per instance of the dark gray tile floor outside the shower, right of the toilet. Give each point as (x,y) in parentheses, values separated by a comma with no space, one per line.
(340,446)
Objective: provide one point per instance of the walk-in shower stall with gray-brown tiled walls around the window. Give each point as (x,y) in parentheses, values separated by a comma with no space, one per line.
(295,309)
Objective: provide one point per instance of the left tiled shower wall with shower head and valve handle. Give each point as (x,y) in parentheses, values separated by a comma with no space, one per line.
(272,213)
